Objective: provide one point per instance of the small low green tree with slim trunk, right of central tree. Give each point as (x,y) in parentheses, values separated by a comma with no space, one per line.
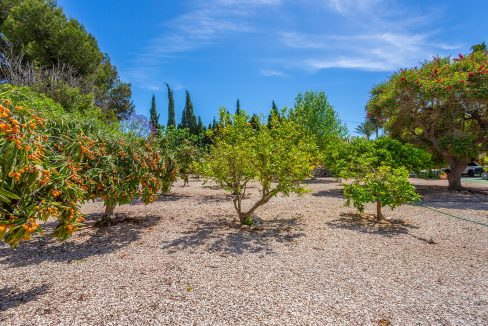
(379,170)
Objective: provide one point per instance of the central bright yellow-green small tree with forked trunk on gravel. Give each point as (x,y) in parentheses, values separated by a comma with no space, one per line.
(277,158)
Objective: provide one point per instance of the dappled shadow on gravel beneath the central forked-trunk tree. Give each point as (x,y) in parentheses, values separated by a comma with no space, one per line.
(225,237)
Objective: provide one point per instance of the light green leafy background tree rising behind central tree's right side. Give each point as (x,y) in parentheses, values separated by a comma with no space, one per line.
(315,114)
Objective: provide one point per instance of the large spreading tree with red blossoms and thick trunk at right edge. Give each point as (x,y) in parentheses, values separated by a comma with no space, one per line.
(440,105)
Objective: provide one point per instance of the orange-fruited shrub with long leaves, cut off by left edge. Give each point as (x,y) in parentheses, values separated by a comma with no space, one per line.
(36,181)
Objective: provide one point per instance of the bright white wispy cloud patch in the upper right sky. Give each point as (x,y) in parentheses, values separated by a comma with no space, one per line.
(375,38)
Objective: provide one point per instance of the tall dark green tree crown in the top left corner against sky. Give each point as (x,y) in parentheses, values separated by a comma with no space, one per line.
(39,32)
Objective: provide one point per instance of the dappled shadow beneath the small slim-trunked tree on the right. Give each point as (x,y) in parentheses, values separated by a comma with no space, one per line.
(369,225)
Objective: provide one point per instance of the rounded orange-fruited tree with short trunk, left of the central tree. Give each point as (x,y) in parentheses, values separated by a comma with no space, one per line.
(121,170)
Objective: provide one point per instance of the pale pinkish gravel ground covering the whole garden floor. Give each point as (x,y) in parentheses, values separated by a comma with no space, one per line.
(181,260)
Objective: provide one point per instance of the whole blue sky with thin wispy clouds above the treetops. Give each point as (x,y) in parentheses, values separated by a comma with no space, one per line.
(264,50)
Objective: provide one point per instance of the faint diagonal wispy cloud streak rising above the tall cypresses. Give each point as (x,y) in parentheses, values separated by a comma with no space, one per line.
(204,24)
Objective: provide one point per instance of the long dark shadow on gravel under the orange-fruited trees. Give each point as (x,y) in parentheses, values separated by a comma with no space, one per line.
(88,242)
